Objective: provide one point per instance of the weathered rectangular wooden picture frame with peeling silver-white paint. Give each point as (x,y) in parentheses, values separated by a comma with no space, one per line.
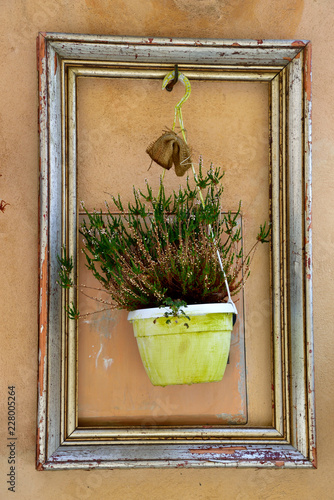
(286,66)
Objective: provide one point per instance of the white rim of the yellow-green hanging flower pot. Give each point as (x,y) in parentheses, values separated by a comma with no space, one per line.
(190,310)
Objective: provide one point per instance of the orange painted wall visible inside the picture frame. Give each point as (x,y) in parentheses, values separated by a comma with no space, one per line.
(227,123)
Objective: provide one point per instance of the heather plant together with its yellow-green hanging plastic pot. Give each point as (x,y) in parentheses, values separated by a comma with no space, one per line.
(173,261)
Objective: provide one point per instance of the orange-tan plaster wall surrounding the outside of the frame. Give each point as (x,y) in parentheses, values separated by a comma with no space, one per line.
(21,20)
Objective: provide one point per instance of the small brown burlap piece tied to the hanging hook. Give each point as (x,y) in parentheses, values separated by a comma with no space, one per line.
(169,149)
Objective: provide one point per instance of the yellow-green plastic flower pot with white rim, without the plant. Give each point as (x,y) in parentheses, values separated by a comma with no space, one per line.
(176,350)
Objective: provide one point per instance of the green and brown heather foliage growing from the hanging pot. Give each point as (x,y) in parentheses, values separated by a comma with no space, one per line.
(159,250)
